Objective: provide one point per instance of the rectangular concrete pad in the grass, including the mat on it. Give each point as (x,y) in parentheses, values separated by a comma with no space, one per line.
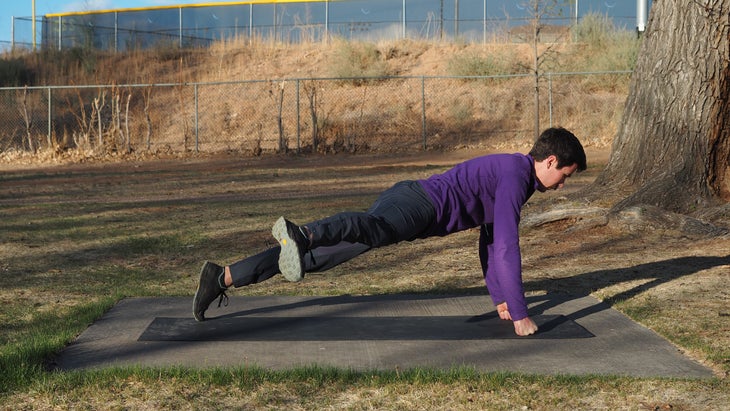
(358,333)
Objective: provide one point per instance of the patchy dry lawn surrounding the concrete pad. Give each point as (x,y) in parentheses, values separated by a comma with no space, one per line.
(73,242)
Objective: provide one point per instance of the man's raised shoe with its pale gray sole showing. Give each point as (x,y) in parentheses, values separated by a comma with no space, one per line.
(293,246)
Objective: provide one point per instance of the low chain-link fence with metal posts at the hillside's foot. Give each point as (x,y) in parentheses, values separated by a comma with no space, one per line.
(308,115)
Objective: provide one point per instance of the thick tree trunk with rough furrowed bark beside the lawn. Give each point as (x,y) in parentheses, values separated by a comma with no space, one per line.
(673,145)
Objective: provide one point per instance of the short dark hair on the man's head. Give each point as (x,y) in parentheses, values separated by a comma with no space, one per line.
(562,144)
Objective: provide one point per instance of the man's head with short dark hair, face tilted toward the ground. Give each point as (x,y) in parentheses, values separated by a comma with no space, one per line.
(558,154)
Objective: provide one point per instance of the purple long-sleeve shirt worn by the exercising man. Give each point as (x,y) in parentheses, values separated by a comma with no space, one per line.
(488,190)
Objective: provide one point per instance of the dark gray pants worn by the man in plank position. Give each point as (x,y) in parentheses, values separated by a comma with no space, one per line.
(404,212)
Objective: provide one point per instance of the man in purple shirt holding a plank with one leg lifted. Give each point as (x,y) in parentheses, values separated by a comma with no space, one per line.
(487,191)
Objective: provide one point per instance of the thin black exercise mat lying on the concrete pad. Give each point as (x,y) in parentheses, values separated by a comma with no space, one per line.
(355,328)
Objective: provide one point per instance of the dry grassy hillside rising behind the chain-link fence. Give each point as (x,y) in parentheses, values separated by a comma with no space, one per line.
(331,115)
